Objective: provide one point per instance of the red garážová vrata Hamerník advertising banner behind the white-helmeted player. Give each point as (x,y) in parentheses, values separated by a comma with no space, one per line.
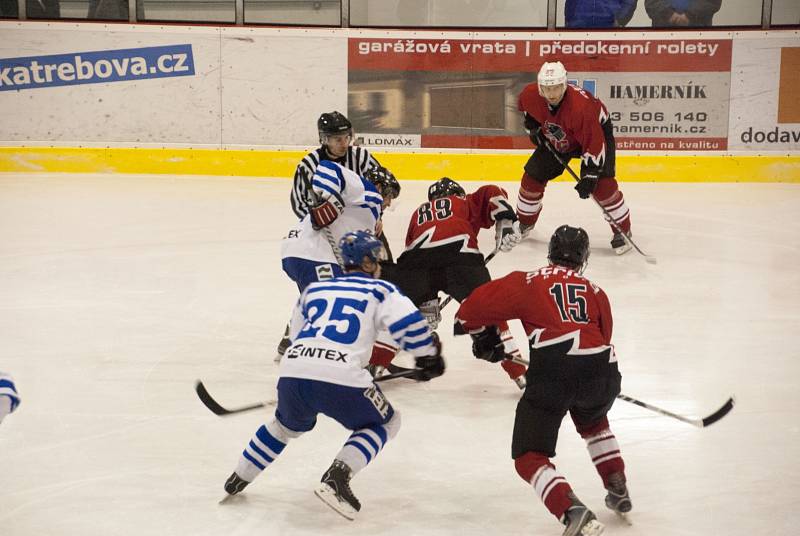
(662,94)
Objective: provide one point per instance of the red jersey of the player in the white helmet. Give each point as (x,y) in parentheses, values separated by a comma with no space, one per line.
(576,124)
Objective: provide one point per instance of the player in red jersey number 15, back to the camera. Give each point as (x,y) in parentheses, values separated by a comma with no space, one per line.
(572,369)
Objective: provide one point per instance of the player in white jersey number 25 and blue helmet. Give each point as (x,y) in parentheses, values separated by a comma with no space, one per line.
(333,328)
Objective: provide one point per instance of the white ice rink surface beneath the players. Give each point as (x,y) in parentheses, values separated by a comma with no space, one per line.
(118,292)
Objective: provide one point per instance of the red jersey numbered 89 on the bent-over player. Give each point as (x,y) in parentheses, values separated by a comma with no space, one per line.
(455,219)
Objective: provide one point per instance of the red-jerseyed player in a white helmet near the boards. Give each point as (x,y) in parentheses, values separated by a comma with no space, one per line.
(577,125)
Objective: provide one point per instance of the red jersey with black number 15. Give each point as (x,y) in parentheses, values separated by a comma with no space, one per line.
(554,303)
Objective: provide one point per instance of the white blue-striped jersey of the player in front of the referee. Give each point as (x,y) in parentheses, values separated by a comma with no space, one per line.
(361,210)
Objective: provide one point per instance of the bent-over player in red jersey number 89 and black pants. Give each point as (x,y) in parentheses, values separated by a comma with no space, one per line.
(442,253)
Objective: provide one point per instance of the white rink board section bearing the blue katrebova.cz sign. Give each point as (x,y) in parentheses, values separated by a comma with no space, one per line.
(68,83)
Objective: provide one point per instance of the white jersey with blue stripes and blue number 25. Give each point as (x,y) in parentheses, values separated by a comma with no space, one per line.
(336,322)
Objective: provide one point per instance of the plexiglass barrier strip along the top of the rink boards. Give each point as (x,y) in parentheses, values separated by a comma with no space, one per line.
(489,14)
